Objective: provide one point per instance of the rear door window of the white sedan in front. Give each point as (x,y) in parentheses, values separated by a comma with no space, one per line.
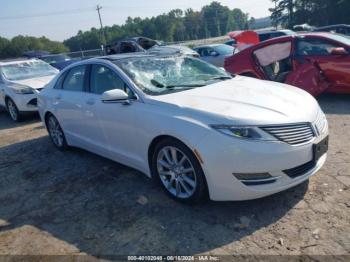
(75,79)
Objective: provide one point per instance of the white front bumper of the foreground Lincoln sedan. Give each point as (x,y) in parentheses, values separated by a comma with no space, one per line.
(225,156)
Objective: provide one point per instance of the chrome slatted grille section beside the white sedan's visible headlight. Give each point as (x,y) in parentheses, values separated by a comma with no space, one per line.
(293,134)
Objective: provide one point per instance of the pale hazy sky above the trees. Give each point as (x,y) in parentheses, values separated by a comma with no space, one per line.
(61,19)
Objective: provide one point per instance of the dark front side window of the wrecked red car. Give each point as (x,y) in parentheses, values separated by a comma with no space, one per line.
(314,47)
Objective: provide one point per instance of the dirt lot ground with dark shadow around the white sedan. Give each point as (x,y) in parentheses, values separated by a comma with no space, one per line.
(78,203)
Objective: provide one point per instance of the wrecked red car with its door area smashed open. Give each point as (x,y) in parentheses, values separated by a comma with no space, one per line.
(315,62)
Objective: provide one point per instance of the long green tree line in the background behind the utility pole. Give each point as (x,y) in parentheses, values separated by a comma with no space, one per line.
(177,25)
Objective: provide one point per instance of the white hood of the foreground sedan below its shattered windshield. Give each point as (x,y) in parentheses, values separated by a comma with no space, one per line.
(245,101)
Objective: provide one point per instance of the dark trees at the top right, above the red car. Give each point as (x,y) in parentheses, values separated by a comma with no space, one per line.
(314,12)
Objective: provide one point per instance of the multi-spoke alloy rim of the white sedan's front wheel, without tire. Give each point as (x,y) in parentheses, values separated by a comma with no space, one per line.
(176,172)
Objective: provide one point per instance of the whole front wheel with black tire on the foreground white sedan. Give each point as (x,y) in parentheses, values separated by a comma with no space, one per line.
(182,179)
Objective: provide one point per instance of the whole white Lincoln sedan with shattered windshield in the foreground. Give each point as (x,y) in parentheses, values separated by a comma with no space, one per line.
(188,124)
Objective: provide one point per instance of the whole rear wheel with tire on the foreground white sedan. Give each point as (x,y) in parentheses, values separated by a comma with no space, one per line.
(56,133)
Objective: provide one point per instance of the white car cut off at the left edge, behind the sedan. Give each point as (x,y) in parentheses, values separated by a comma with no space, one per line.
(20,82)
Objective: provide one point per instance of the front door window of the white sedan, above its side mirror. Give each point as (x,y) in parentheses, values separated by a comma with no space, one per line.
(104,79)
